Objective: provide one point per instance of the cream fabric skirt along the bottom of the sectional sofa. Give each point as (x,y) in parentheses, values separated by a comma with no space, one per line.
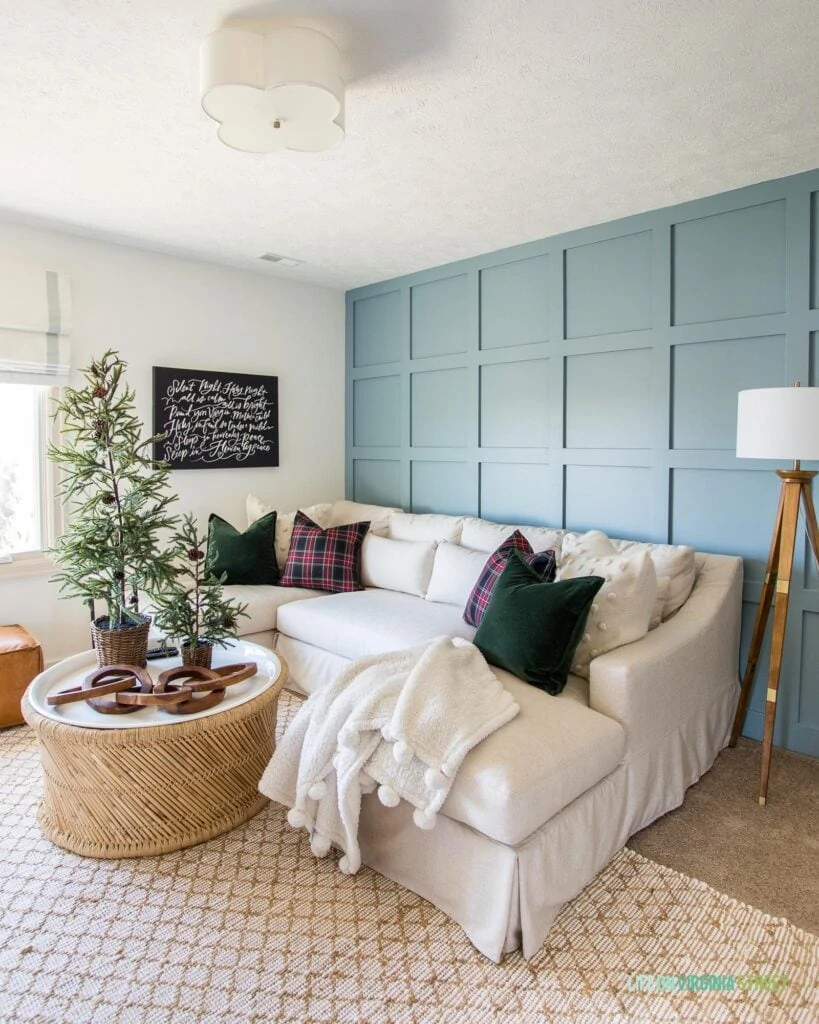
(507,898)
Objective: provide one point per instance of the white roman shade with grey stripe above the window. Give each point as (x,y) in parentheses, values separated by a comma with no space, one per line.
(35,325)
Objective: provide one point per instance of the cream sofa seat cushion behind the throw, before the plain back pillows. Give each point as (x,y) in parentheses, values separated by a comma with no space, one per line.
(370,622)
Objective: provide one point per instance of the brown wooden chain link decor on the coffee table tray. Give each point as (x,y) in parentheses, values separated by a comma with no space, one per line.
(122,690)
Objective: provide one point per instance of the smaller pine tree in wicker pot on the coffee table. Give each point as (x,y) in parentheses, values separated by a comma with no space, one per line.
(192,609)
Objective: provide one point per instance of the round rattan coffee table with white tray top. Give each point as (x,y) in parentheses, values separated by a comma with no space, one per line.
(140,785)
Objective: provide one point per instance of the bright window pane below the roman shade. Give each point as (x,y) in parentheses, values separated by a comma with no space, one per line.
(27,478)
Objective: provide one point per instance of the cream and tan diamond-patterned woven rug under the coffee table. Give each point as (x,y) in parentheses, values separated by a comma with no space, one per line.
(250,927)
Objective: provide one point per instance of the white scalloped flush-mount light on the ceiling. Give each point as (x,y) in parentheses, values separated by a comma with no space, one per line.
(278,91)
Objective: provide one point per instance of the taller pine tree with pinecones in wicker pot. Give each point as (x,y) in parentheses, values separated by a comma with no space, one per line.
(118,504)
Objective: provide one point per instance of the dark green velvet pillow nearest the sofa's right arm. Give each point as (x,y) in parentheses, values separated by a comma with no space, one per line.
(533,628)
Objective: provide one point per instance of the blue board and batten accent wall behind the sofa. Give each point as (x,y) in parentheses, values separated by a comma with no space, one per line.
(590,380)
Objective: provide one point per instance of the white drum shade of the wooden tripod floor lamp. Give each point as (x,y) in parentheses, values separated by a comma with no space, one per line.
(779,423)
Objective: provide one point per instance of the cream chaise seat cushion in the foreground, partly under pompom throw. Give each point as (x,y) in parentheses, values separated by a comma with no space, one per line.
(525,774)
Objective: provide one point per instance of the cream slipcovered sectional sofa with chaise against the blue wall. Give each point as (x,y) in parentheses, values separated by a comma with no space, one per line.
(542,805)
